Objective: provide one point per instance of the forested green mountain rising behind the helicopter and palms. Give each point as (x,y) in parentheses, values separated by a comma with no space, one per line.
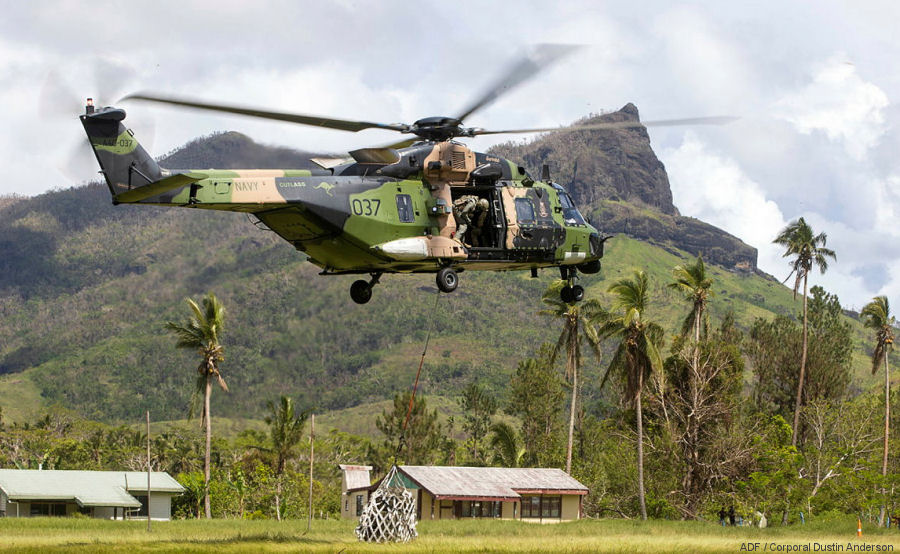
(86,287)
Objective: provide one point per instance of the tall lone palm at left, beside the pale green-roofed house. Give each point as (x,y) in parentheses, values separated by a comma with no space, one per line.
(201,333)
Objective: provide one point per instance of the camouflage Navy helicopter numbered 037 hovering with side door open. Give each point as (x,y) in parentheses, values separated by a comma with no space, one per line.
(384,209)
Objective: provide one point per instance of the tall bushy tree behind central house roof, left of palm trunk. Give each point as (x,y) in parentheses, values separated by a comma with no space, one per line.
(536,397)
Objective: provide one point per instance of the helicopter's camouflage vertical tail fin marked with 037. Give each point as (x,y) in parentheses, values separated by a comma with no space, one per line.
(124,162)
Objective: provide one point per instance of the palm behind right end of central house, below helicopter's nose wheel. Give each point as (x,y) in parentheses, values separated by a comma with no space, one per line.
(577,322)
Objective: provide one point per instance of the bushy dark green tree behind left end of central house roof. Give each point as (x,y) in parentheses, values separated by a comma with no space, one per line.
(419,441)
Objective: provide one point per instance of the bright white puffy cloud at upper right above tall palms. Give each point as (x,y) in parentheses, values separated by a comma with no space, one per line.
(840,104)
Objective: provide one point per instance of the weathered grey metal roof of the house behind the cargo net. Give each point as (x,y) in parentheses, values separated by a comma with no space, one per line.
(490,482)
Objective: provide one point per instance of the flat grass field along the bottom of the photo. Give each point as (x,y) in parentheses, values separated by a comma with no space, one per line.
(79,535)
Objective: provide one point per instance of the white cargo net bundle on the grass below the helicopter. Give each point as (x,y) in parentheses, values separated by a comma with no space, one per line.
(390,514)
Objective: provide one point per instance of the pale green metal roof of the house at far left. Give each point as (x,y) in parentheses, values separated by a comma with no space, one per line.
(88,488)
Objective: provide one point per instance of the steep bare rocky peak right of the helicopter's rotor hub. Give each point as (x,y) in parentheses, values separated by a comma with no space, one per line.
(617,181)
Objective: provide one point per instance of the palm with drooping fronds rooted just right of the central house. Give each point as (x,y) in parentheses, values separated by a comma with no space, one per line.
(637,354)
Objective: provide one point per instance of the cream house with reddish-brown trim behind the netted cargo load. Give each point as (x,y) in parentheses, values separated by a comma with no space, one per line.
(545,495)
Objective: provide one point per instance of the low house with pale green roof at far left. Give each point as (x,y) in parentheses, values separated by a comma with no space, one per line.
(97,494)
